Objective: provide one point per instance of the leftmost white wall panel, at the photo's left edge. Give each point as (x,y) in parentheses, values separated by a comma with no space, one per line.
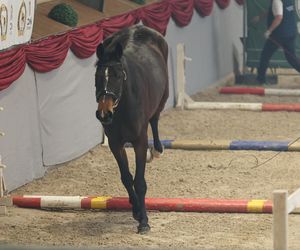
(21,146)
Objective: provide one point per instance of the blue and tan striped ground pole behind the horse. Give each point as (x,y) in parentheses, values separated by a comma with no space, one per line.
(230,145)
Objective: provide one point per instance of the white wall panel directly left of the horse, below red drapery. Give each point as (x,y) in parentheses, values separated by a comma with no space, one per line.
(67,106)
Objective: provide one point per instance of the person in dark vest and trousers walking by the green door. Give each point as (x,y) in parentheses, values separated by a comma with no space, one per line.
(281,32)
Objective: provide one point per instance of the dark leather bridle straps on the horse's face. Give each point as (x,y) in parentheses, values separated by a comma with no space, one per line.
(106,92)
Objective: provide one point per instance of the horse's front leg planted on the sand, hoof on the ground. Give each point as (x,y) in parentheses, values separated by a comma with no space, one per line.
(140,186)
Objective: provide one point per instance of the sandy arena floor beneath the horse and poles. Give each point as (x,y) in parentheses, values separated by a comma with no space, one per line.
(202,174)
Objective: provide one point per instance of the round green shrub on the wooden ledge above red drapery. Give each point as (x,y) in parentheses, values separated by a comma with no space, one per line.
(64,13)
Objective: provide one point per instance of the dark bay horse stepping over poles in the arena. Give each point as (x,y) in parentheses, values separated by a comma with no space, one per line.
(131,91)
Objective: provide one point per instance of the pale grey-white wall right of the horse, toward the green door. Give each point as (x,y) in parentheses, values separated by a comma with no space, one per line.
(209,41)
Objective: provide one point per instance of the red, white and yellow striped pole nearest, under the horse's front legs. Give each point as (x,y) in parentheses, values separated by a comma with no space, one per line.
(158,204)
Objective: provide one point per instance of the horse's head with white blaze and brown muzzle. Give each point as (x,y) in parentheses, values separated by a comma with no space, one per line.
(110,77)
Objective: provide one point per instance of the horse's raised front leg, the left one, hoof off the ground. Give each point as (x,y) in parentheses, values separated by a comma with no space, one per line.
(120,155)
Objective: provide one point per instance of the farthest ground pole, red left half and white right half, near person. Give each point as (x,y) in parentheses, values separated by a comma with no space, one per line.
(259,91)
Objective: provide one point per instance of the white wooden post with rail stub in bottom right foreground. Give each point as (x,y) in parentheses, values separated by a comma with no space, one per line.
(282,206)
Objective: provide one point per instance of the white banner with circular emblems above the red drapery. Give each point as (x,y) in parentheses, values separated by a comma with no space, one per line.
(16,22)
